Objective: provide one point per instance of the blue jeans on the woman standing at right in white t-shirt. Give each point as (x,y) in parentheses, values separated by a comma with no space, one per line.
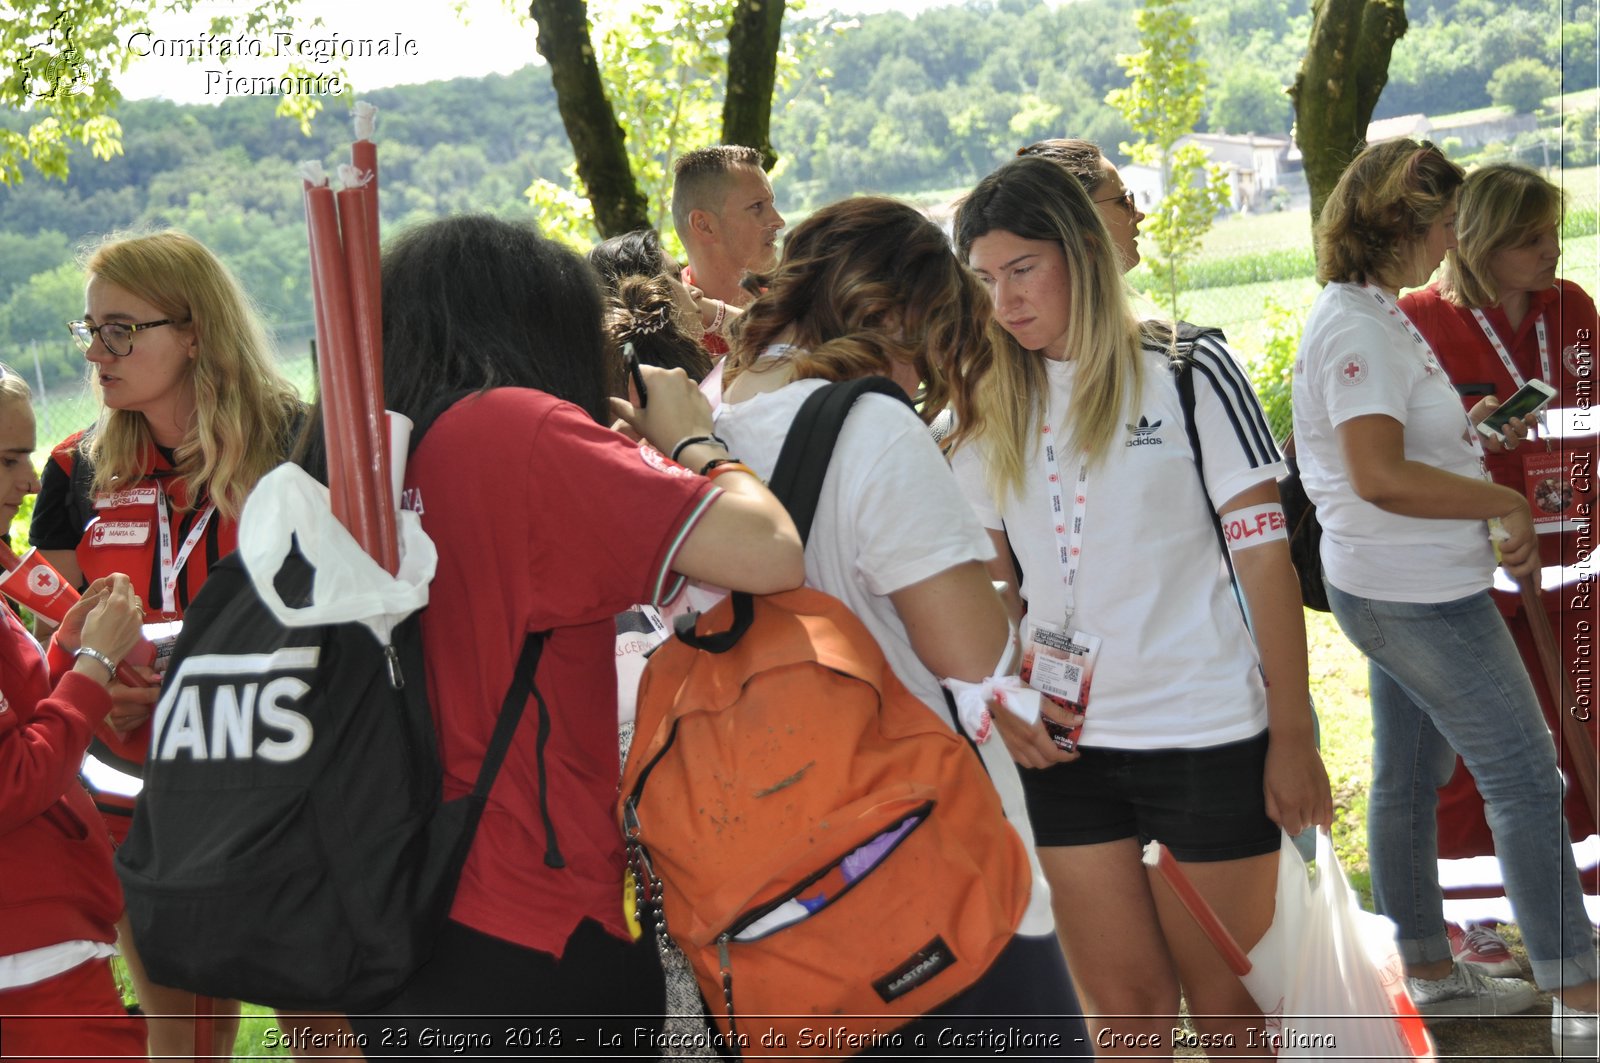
(1447,680)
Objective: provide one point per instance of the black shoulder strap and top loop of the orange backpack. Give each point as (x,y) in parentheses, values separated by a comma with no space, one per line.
(798,483)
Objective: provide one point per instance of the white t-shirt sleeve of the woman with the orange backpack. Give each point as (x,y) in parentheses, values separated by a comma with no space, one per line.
(911,518)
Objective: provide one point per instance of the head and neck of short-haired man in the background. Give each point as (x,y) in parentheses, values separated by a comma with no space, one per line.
(724,212)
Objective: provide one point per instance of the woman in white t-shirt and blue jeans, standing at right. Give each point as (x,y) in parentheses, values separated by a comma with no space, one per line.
(1412,526)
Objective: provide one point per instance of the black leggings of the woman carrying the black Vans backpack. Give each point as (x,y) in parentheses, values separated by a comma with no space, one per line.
(486,998)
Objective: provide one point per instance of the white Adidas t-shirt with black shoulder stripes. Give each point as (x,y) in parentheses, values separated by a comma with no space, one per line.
(1177,665)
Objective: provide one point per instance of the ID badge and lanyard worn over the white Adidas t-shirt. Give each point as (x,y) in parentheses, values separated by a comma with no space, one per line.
(1055,664)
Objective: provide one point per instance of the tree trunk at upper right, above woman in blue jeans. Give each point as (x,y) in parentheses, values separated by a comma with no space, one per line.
(1345,71)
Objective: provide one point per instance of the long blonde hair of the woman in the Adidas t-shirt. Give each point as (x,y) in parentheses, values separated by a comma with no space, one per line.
(1002,404)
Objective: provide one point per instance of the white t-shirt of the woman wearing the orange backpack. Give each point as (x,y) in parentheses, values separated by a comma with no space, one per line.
(890,516)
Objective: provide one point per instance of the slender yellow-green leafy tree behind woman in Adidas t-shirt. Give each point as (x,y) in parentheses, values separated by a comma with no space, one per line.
(1162,103)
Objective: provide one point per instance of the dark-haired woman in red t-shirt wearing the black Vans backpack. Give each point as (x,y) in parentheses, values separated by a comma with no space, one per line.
(546,521)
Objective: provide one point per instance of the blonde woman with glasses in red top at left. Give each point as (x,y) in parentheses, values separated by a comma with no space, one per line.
(193,415)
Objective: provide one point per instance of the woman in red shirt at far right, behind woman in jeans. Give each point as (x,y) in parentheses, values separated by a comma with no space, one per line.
(1498,318)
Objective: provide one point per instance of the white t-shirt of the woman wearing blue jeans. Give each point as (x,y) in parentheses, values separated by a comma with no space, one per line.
(1359,359)
